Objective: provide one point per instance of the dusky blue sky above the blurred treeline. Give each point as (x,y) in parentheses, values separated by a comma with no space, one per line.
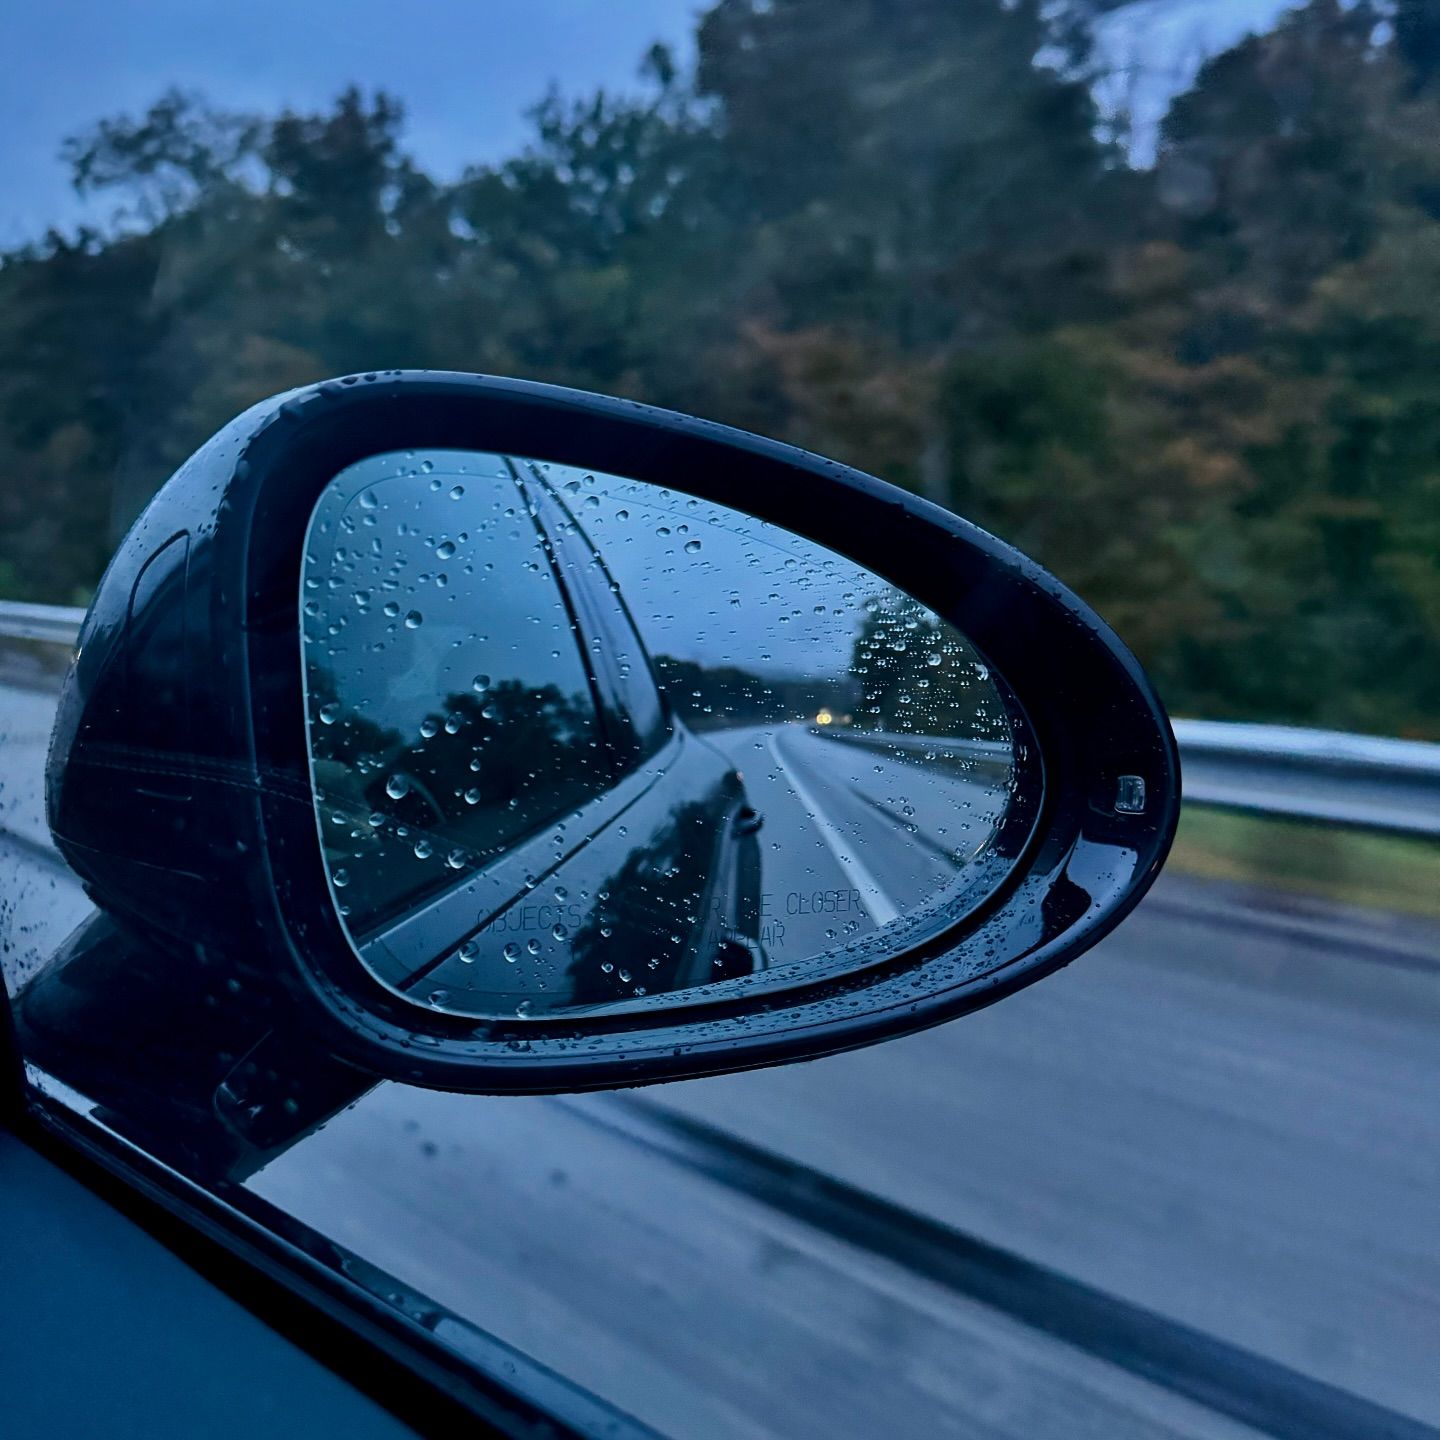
(467,70)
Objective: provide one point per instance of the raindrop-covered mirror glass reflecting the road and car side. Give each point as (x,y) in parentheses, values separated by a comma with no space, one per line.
(581,744)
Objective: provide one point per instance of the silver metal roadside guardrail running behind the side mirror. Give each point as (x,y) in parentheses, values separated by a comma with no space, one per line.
(1326,777)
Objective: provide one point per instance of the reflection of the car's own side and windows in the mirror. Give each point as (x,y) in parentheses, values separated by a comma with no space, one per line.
(505,796)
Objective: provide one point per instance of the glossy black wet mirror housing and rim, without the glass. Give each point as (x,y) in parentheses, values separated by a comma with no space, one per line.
(246,503)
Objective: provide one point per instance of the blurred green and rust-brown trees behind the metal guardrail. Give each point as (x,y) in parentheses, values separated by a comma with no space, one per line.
(1203,394)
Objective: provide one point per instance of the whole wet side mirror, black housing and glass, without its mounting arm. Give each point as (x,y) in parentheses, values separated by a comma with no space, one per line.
(513,739)
